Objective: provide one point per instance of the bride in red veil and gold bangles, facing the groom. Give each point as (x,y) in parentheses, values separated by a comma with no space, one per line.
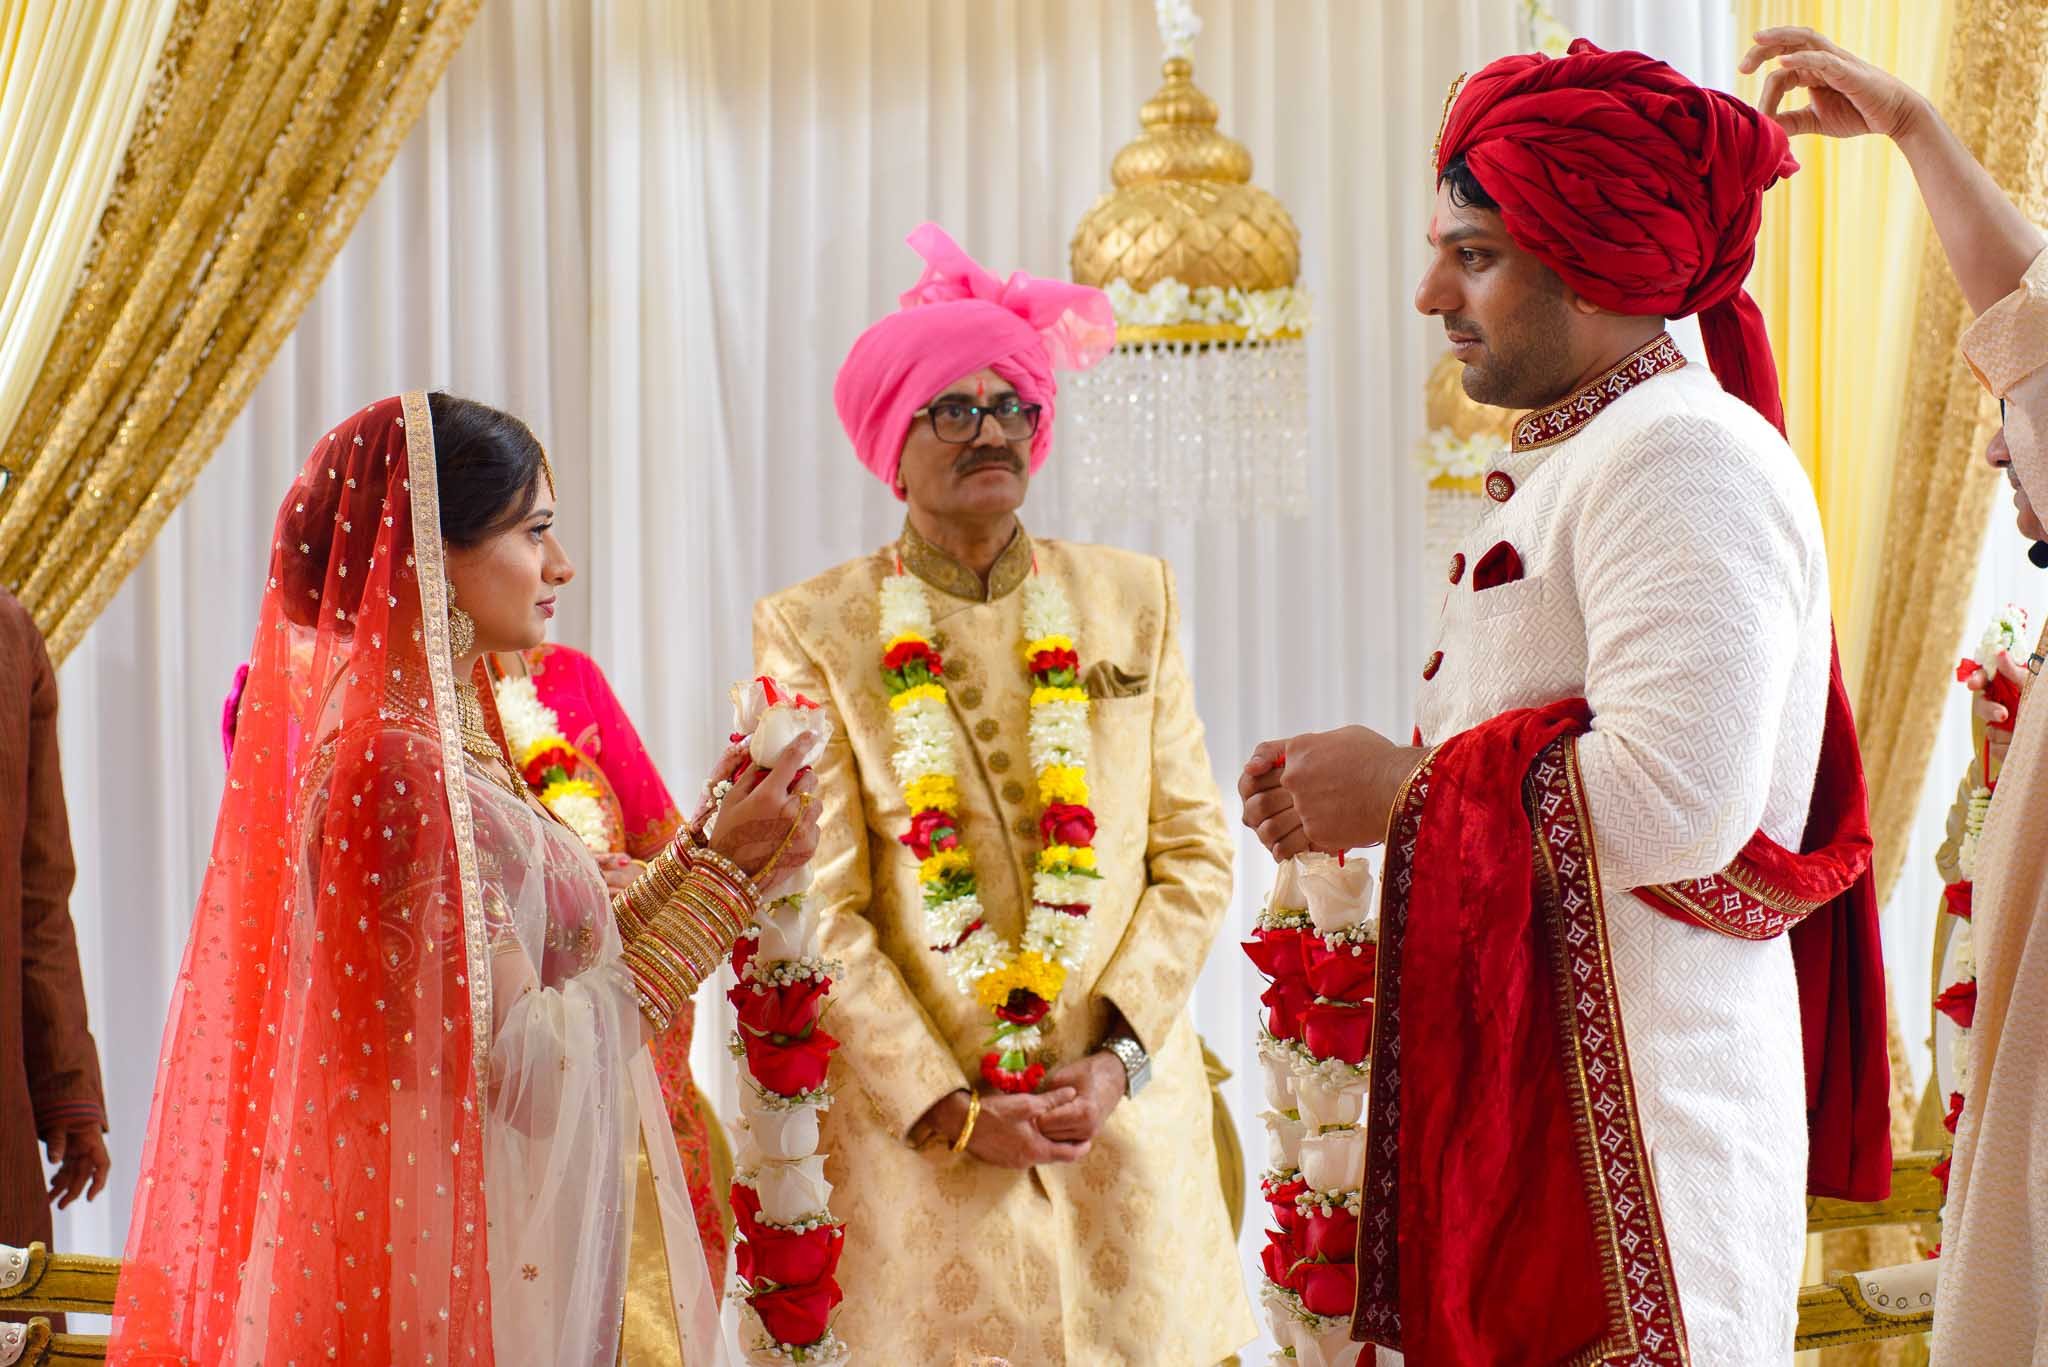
(404,1112)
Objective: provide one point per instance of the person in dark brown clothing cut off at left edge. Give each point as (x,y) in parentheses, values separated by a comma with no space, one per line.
(50,1071)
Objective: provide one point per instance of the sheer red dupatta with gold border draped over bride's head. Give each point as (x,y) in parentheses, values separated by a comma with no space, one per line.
(312,1182)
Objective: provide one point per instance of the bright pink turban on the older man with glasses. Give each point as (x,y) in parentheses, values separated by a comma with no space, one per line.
(957,321)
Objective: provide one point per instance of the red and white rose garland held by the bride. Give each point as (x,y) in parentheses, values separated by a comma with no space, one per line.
(787,1243)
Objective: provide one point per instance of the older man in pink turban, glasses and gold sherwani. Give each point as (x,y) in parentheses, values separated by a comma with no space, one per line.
(1025,868)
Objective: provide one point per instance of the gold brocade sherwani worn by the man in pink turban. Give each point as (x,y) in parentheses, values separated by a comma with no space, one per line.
(1125,1257)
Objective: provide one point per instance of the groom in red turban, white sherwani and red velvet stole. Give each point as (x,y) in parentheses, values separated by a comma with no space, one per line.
(1635,776)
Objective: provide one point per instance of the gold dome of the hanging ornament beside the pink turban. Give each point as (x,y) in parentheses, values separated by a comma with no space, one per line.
(1185,206)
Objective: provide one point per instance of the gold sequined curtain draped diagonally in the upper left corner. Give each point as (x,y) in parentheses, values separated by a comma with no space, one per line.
(267,128)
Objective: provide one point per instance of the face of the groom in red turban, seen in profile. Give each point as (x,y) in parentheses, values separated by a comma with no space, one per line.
(1506,315)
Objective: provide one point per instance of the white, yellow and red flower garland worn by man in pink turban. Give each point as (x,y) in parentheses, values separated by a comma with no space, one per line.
(1019,985)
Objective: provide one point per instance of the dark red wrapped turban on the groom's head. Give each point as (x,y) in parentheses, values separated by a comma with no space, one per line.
(1641,190)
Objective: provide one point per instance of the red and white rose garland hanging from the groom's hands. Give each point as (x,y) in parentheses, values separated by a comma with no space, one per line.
(1318,948)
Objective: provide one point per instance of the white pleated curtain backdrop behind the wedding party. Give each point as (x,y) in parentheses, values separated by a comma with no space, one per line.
(652,231)
